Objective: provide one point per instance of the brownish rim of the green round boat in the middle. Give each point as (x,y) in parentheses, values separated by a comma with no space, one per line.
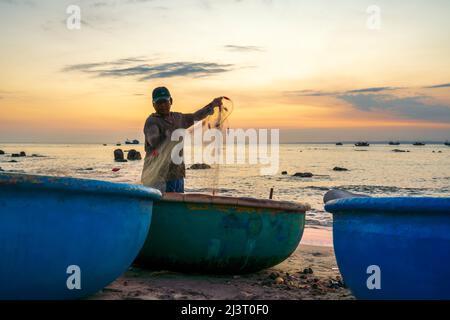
(202,198)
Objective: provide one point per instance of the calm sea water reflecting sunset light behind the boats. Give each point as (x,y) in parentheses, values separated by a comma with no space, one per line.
(374,170)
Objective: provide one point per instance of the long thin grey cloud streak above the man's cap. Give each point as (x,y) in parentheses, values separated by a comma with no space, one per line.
(134,67)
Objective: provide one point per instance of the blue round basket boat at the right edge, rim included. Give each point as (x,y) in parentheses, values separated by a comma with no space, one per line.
(407,238)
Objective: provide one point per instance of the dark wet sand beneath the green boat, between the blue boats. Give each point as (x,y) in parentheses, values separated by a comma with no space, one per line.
(286,281)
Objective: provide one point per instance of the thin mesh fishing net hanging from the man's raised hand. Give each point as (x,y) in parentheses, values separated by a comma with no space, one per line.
(213,131)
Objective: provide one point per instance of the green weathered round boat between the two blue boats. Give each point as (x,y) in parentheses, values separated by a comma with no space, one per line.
(211,234)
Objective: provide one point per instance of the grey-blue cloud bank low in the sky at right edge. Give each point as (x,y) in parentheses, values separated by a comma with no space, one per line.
(416,107)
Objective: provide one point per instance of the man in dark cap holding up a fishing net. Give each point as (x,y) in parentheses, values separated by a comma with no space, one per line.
(159,170)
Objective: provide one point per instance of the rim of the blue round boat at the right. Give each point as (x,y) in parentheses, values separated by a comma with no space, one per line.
(390,205)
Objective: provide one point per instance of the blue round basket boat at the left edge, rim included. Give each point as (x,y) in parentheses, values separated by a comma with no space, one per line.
(48,224)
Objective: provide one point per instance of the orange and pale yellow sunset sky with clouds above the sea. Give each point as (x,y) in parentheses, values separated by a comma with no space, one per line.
(314,69)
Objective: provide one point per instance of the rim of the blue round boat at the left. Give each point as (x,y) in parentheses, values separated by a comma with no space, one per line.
(53,183)
